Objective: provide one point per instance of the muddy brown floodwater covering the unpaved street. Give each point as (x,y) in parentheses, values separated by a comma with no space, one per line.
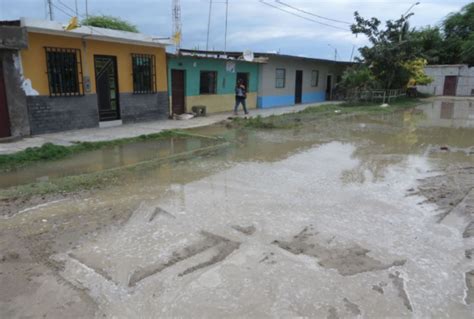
(354,216)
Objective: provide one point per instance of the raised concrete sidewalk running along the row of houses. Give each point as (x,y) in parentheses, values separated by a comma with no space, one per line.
(136,129)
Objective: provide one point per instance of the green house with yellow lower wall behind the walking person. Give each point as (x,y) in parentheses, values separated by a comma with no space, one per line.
(202,78)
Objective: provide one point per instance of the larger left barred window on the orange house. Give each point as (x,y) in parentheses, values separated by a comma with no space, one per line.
(64,72)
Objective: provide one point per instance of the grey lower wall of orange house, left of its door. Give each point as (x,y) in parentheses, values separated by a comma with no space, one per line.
(56,114)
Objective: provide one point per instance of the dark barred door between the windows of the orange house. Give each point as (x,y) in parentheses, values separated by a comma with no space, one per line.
(107,87)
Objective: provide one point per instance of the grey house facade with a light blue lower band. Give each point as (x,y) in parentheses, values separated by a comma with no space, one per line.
(289,80)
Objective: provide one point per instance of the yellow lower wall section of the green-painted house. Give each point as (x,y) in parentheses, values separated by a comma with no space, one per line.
(219,103)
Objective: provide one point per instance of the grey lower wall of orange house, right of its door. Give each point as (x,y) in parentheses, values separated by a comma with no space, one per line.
(143,107)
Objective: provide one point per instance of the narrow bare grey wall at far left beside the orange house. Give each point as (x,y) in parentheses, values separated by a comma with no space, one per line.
(16,98)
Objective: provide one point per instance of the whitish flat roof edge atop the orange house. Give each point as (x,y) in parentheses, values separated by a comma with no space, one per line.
(101,34)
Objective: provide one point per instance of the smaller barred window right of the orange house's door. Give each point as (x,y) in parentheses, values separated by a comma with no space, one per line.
(144,75)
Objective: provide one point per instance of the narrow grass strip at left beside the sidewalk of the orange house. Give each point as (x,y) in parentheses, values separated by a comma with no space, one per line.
(50,152)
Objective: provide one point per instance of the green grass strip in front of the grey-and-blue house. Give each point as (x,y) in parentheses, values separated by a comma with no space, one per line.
(324,111)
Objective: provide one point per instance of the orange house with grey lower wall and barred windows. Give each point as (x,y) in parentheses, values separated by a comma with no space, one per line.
(87,77)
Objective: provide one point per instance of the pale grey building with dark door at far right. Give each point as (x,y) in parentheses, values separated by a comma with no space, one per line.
(450,80)
